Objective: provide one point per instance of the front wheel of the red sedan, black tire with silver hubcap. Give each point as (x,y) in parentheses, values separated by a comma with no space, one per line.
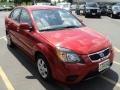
(46,75)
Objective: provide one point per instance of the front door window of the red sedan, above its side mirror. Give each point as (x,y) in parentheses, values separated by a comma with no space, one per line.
(24,17)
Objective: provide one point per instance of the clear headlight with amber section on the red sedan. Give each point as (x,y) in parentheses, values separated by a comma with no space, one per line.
(67,55)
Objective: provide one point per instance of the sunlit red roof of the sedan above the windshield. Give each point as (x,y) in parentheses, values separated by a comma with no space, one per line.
(36,7)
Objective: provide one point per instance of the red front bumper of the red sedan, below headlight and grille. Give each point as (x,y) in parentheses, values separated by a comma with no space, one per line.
(71,73)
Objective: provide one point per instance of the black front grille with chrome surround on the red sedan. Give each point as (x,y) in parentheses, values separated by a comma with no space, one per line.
(99,55)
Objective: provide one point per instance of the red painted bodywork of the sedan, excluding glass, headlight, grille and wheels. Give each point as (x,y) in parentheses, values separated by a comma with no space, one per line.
(82,41)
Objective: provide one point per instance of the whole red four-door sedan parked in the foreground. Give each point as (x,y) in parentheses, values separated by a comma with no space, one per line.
(60,45)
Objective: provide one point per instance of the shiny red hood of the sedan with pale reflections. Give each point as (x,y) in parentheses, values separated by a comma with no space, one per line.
(80,40)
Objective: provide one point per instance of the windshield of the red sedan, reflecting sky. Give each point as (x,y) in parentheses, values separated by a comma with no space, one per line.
(47,19)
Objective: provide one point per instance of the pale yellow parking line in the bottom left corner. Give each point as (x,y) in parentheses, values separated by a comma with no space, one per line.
(6,80)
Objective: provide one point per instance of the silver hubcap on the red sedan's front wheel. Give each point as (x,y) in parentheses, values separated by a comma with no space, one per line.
(42,68)
